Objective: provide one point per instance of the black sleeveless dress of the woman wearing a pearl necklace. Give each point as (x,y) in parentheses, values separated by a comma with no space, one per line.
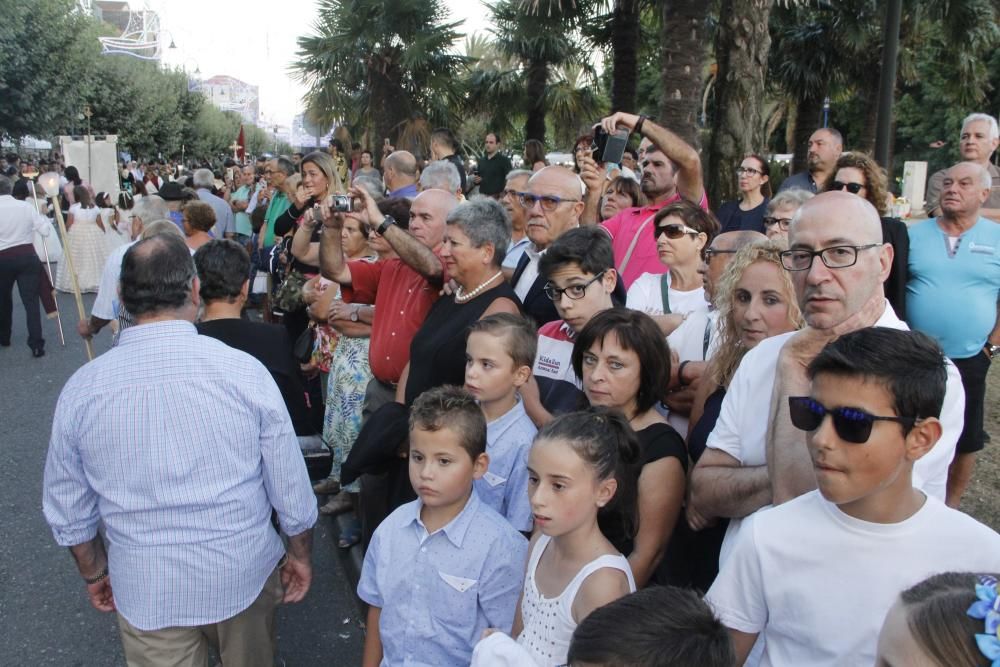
(437,352)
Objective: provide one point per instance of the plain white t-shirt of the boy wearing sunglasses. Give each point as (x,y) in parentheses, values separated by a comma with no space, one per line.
(818,583)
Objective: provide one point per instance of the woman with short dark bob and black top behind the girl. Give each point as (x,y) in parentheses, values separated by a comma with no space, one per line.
(624,363)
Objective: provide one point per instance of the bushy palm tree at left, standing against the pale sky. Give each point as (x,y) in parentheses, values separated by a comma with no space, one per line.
(381,64)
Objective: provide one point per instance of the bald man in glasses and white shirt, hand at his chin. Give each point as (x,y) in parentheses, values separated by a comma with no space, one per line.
(755,457)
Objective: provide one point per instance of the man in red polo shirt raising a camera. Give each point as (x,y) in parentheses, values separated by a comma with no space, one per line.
(403,289)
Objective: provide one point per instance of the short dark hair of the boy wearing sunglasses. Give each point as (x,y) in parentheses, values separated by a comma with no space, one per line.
(909,364)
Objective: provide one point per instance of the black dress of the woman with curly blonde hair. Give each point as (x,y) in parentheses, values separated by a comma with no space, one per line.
(692,558)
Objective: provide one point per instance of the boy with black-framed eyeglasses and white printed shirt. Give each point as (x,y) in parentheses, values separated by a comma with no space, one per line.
(580,278)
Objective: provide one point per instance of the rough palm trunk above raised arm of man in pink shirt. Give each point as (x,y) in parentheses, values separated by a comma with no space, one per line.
(683,41)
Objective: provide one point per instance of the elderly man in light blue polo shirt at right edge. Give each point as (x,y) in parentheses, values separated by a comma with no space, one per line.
(952,295)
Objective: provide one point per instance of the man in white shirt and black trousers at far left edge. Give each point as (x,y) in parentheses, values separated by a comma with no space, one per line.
(19,264)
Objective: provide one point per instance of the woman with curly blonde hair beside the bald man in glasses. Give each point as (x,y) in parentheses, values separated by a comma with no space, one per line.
(756,300)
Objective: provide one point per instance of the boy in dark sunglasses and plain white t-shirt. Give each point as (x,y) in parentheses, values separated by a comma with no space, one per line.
(815,576)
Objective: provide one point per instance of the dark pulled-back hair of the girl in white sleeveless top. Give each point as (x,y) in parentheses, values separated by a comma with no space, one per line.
(605,440)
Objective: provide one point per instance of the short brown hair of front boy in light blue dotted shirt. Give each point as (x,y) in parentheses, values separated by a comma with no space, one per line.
(453,408)
